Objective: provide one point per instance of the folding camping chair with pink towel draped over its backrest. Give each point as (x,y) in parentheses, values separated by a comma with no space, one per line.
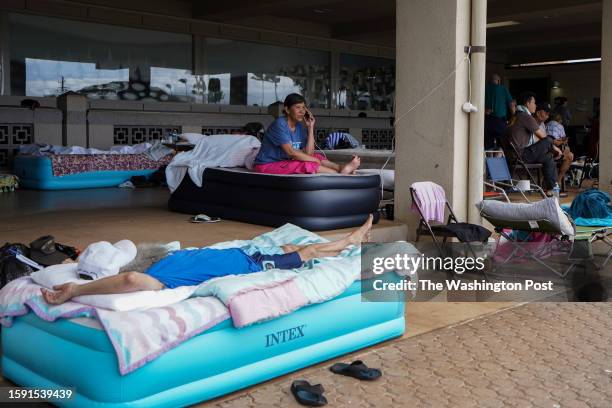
(435,231)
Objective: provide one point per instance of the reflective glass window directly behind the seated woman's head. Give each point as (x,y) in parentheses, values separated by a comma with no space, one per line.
(259,74)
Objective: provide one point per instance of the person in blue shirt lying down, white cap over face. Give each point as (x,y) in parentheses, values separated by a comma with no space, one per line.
(102,261)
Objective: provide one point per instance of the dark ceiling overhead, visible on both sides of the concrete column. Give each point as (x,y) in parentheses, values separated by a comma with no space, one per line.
(547,29)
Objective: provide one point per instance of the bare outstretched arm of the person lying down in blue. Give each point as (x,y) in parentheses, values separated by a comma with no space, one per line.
(122,283)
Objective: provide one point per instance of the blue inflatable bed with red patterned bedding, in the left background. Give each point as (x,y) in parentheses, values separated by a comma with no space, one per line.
(67,172)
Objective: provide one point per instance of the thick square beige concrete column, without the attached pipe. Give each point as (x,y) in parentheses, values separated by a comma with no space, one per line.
(431,129)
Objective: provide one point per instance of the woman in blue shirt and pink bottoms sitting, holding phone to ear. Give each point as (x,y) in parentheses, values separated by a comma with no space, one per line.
(288,144)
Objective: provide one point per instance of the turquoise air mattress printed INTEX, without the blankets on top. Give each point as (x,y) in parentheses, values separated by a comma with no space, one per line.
(219,361)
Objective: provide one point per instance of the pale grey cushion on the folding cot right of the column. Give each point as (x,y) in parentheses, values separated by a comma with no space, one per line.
(547,209)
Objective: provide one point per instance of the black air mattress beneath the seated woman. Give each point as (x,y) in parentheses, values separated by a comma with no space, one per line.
(314,202)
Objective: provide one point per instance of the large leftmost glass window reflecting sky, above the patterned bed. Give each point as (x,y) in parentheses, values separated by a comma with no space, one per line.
(50,56)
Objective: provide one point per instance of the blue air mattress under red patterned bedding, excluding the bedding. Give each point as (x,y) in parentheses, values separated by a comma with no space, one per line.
(36,172)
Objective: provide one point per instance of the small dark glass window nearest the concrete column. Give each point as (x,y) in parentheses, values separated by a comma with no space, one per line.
(365,83)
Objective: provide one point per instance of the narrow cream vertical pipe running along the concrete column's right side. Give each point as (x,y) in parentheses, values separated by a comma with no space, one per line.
(477,77)
